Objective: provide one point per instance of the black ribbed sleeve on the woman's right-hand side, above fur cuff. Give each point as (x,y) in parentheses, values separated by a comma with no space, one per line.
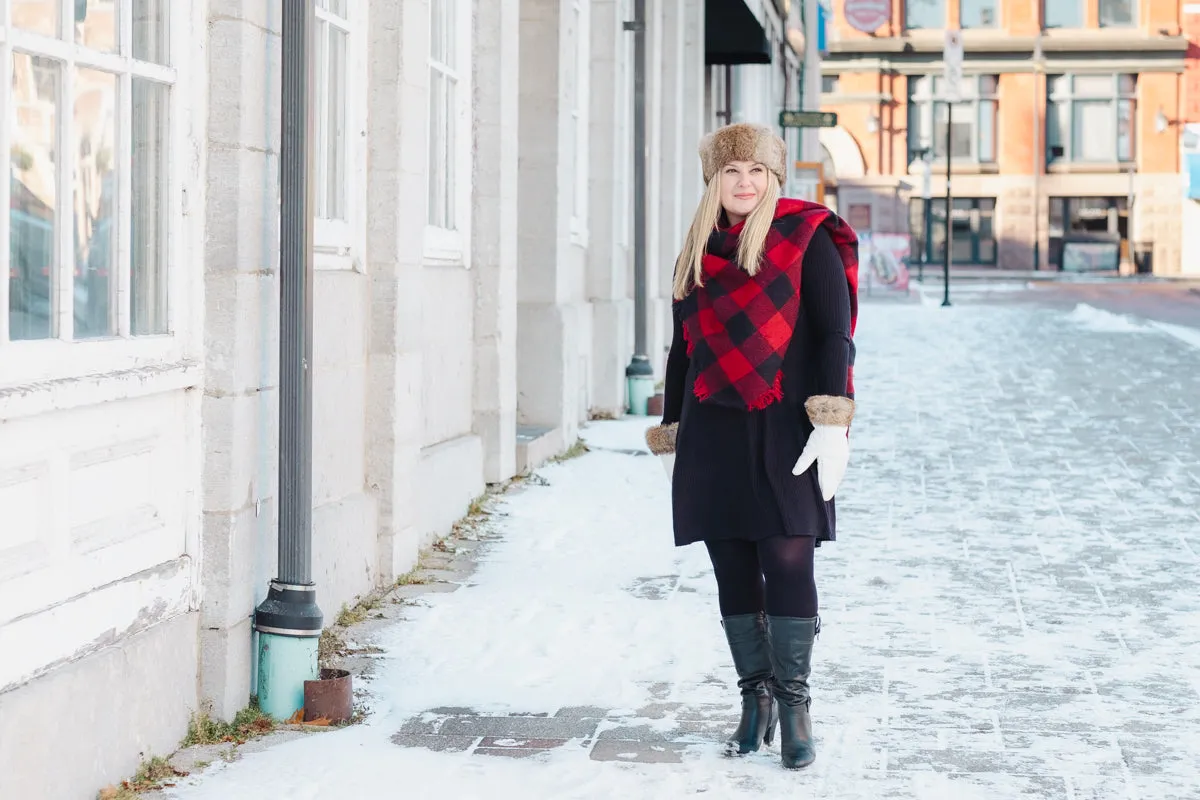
(825,294)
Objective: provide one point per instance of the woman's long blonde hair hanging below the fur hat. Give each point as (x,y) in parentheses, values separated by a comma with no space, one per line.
(752,243)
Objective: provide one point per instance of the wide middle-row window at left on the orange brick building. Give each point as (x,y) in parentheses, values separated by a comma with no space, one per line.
(974,121)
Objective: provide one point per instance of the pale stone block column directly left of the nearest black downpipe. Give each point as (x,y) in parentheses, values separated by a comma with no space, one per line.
(241,404)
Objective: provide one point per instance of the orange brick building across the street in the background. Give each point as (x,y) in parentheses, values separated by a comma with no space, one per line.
(1065,151)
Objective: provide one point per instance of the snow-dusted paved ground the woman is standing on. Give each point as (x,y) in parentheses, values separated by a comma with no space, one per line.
(1012,609)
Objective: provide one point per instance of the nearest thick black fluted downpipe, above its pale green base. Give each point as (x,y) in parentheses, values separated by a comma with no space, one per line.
(291,607)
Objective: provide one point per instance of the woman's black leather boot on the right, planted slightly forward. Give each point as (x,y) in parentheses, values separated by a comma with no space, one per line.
(791,658)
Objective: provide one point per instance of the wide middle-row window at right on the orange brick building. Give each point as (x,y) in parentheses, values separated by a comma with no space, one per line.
(1090,119)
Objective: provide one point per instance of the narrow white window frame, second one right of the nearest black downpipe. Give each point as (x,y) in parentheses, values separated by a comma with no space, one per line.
(452,246)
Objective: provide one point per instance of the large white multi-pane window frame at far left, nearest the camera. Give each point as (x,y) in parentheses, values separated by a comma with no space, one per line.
(63,359)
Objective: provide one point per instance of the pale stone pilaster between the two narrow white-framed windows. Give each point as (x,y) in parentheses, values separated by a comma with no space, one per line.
(397,175)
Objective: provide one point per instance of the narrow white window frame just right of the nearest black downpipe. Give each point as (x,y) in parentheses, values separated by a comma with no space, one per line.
(341,244)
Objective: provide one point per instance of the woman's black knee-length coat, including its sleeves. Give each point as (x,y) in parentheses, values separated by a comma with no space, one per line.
(734,468)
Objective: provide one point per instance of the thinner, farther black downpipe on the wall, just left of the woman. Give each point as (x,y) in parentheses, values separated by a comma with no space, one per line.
(640,365)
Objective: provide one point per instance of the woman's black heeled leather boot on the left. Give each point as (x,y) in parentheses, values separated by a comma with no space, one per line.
(747,635)
